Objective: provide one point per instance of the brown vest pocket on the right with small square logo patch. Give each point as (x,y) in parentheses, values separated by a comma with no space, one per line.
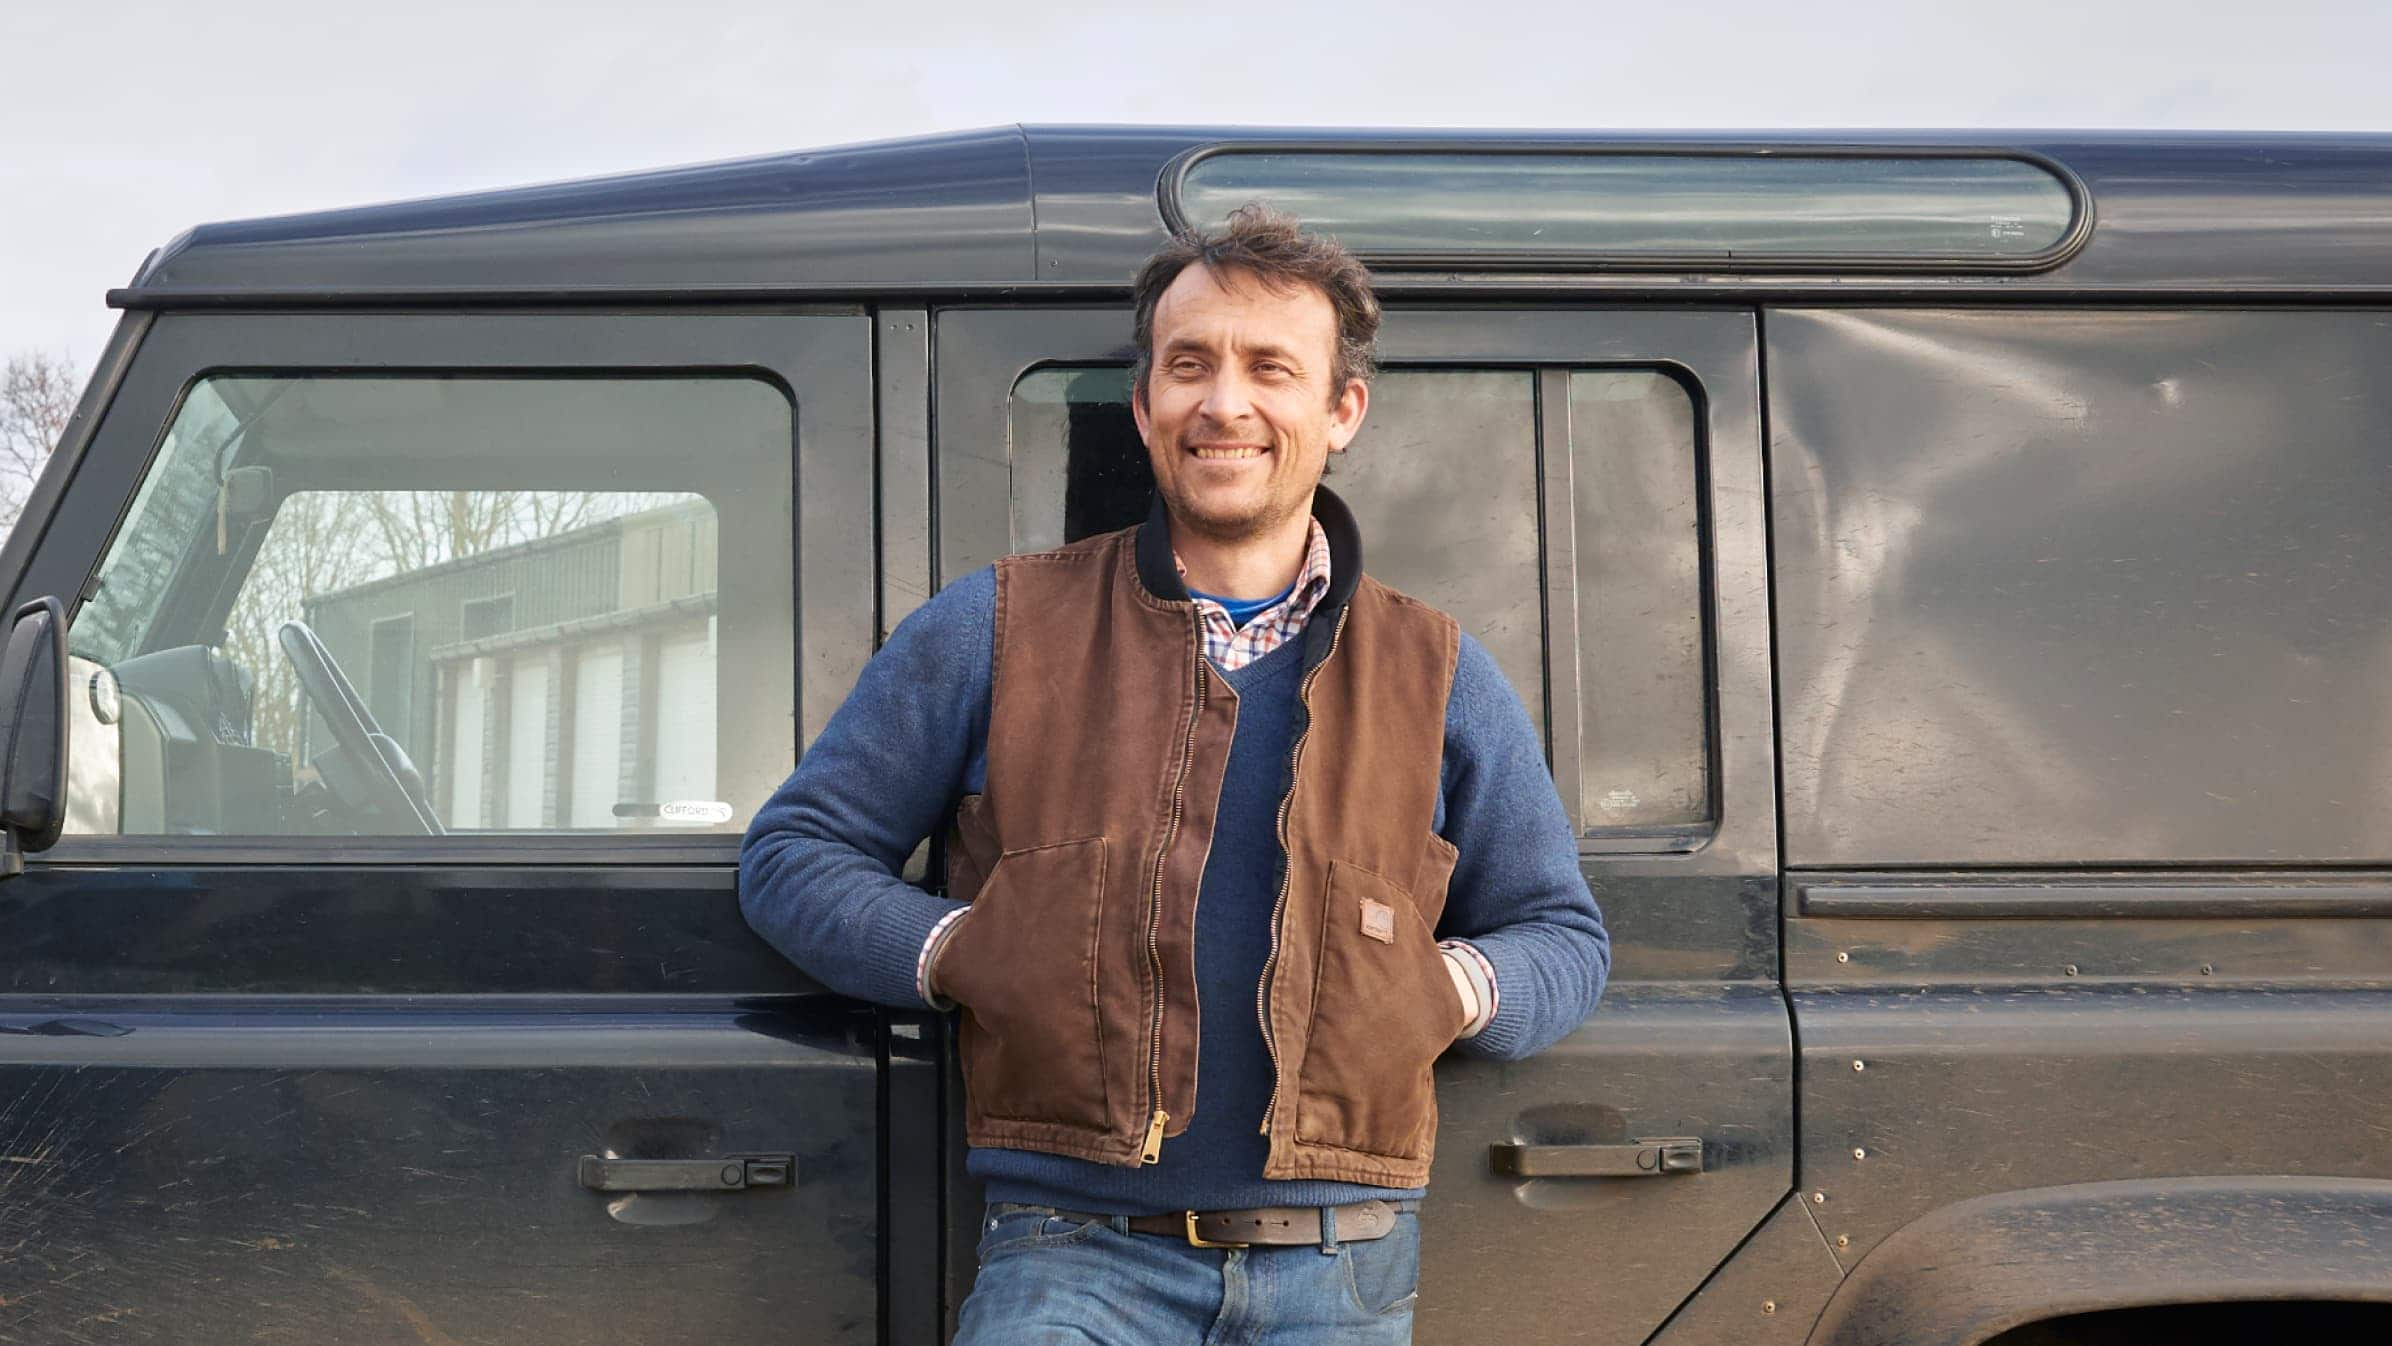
(1384,1010)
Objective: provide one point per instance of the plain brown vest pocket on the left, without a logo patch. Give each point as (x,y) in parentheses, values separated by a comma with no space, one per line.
(1025,972)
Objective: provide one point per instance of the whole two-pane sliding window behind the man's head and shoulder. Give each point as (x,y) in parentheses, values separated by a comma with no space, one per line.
(1472,487)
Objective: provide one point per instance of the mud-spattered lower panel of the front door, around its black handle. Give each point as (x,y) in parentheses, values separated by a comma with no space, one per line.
(355,1170)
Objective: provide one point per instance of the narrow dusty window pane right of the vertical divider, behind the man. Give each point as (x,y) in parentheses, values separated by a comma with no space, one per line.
(1640,585)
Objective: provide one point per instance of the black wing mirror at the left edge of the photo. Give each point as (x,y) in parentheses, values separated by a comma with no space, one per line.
(32,733)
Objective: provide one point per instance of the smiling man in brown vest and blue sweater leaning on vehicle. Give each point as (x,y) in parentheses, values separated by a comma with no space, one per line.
(1214,793)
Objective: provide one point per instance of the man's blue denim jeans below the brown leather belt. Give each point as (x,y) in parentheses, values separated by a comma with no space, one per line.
(1051,1283)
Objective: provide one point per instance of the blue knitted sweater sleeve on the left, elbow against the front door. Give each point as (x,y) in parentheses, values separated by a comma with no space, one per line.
(819,864)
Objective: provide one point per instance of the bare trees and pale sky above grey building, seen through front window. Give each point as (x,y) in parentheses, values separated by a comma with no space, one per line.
(324,542)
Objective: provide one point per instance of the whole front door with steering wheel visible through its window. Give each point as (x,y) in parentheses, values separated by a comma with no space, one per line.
(391,981)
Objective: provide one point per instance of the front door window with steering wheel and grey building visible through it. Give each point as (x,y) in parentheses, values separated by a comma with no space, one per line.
(393,604)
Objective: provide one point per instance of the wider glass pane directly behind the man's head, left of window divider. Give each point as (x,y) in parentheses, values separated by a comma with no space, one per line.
(1444,482)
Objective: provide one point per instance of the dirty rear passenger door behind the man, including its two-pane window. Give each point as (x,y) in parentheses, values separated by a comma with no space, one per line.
(1582,491)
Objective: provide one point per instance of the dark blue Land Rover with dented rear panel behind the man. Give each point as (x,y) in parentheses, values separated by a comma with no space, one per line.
(1951,575)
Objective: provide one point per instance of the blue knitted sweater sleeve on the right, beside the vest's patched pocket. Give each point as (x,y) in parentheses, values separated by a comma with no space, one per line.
(1518,895)
